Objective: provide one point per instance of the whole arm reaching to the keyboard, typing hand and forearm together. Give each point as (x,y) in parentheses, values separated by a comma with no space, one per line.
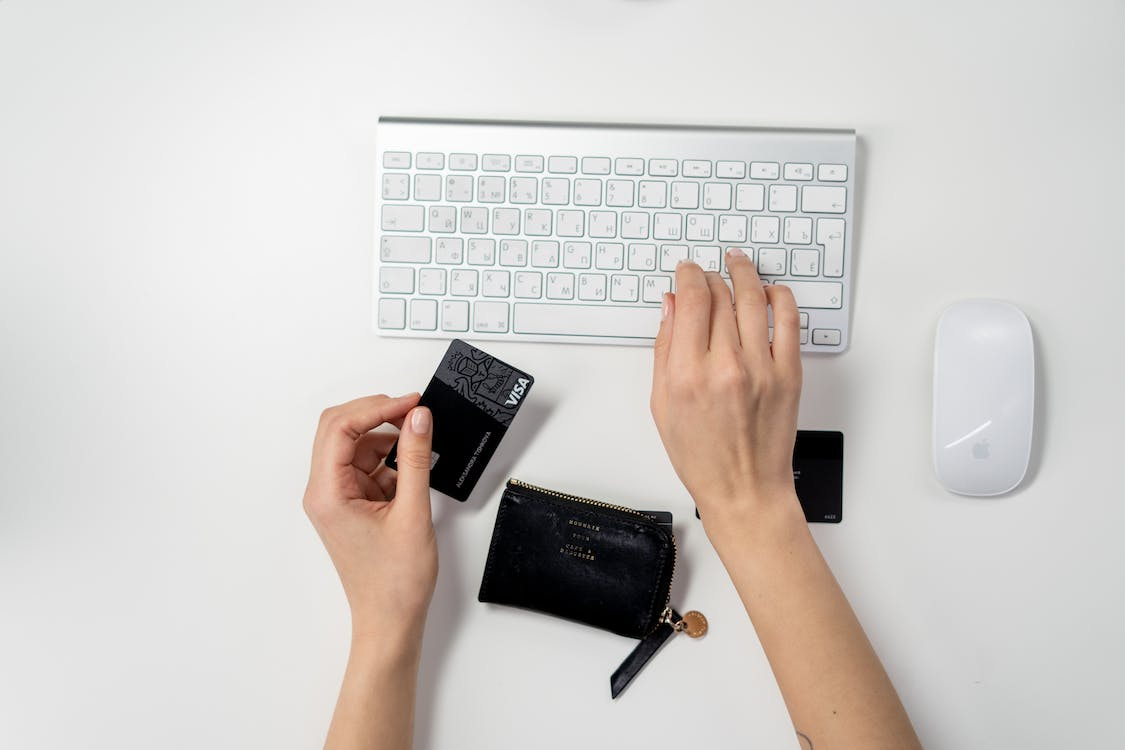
(725,402)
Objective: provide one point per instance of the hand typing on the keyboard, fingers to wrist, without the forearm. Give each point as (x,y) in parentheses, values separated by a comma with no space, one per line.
(725,401)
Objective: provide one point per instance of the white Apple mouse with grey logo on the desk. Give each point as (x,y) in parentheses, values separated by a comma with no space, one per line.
(984,397)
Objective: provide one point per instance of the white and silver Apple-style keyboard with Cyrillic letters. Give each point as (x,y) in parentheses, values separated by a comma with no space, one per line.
(542,232)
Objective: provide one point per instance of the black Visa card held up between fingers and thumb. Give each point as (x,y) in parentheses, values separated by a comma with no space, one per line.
(474,399)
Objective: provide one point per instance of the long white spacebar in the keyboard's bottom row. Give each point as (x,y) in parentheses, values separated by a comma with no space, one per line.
(604,321)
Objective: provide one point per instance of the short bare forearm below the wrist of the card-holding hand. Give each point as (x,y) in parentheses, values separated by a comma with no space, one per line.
(376,706)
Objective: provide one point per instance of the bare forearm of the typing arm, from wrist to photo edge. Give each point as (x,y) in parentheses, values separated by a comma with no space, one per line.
(834,685)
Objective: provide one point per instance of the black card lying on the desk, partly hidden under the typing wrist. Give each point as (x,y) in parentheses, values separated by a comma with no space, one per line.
(818,475)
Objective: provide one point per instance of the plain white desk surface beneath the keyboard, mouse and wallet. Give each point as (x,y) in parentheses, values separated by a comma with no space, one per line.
(186,231)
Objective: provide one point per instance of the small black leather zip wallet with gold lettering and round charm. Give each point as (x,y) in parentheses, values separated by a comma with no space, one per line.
(595,563)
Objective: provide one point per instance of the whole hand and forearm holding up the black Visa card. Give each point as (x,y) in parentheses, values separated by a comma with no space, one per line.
(377,528)
